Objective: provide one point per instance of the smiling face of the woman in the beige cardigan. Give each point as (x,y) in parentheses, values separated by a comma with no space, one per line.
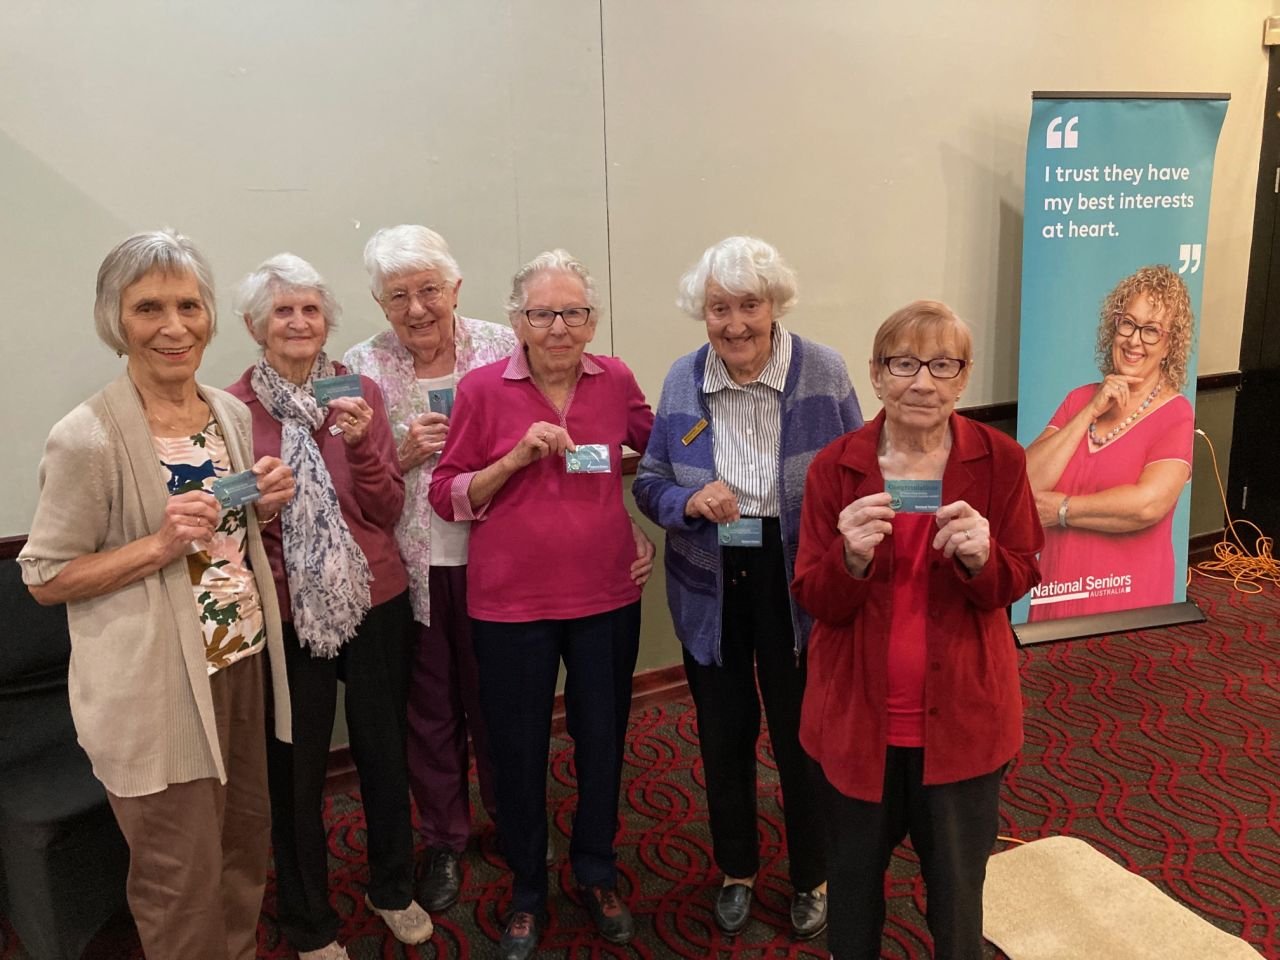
(166,330)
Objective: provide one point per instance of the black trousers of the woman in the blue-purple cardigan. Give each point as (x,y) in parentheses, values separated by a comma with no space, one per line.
(757,644)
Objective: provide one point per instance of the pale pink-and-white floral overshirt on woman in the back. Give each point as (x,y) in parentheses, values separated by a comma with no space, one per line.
(386,360)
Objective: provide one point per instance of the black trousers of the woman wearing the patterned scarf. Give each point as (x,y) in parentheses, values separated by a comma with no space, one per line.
(374,666)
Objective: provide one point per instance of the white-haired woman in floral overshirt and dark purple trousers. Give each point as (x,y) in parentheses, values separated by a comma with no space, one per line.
(417,363)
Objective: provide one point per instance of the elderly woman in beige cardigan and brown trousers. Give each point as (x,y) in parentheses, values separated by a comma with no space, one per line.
(171,604)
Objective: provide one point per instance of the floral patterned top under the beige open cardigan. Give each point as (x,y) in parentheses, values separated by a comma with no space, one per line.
(231,612)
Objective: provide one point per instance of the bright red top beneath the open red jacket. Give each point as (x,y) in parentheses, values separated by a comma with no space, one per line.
(912,546)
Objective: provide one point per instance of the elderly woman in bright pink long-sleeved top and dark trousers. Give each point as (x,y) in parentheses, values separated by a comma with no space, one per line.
(534,458)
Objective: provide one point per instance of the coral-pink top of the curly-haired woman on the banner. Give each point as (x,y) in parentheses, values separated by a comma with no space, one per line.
(1087,572)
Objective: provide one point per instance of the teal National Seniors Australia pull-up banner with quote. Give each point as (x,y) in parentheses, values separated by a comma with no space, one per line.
(1114,259)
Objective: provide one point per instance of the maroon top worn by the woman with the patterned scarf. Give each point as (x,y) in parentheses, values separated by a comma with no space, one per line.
(367,478)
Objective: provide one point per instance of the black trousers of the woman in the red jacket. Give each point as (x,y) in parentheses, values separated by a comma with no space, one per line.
(953,829)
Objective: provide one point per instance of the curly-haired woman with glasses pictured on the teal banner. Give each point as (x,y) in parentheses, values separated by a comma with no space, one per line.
(1110,465)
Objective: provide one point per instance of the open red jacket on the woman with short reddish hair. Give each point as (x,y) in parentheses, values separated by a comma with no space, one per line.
(973,710)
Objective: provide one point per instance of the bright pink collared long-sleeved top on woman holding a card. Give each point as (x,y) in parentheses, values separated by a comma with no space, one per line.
(551,545)
